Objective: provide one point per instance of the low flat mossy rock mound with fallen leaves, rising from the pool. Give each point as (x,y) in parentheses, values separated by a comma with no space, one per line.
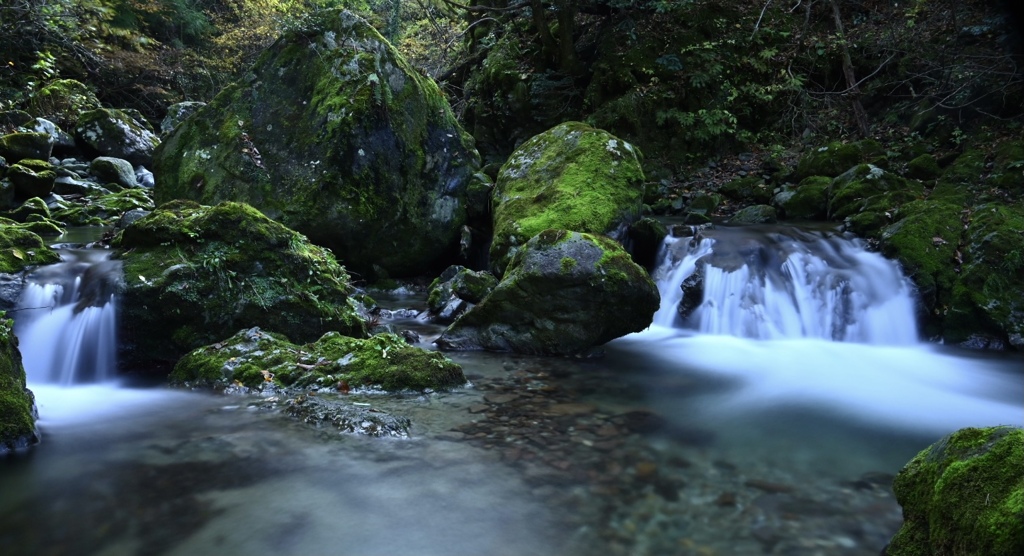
(253,359)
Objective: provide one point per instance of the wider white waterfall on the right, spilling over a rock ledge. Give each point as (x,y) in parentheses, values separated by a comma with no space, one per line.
(775,283)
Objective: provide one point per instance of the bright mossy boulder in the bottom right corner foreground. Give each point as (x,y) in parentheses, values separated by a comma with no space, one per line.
(964,495)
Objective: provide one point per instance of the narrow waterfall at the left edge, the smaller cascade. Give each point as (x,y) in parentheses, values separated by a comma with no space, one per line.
(66,320)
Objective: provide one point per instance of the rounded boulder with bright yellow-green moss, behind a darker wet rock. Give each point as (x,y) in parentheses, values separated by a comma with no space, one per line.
(571,178)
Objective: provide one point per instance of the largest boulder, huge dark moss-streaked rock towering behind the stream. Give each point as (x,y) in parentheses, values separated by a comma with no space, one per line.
(337,137)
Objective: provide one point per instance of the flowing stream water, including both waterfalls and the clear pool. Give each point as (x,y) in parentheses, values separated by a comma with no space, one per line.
(769,419)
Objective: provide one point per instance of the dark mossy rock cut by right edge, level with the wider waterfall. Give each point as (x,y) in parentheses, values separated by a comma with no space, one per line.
(988,298)
